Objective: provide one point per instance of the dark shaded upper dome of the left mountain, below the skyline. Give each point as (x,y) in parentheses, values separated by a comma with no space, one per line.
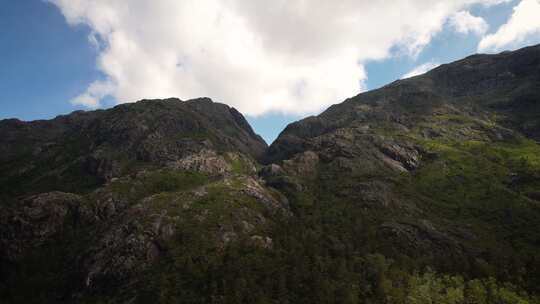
(85,149)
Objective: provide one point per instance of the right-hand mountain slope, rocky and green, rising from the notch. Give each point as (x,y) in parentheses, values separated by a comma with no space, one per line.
(443,168)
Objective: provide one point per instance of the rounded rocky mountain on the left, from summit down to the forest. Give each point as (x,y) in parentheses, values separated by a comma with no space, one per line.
(91,201)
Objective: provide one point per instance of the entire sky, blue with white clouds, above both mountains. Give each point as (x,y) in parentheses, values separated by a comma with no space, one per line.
(275,61)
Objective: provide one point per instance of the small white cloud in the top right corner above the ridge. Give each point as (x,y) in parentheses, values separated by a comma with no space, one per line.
(523,27)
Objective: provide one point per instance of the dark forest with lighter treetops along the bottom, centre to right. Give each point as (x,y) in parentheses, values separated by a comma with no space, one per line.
(296,271)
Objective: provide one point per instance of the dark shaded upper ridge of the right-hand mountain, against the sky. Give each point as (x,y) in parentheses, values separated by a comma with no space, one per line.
(505,84)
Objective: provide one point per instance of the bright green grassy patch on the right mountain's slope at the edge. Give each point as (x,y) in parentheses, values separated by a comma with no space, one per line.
(484,185)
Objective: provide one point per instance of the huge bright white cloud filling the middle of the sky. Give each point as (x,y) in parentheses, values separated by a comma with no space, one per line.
(291,56)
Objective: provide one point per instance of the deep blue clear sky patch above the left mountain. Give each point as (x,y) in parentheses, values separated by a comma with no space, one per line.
(44,62)
